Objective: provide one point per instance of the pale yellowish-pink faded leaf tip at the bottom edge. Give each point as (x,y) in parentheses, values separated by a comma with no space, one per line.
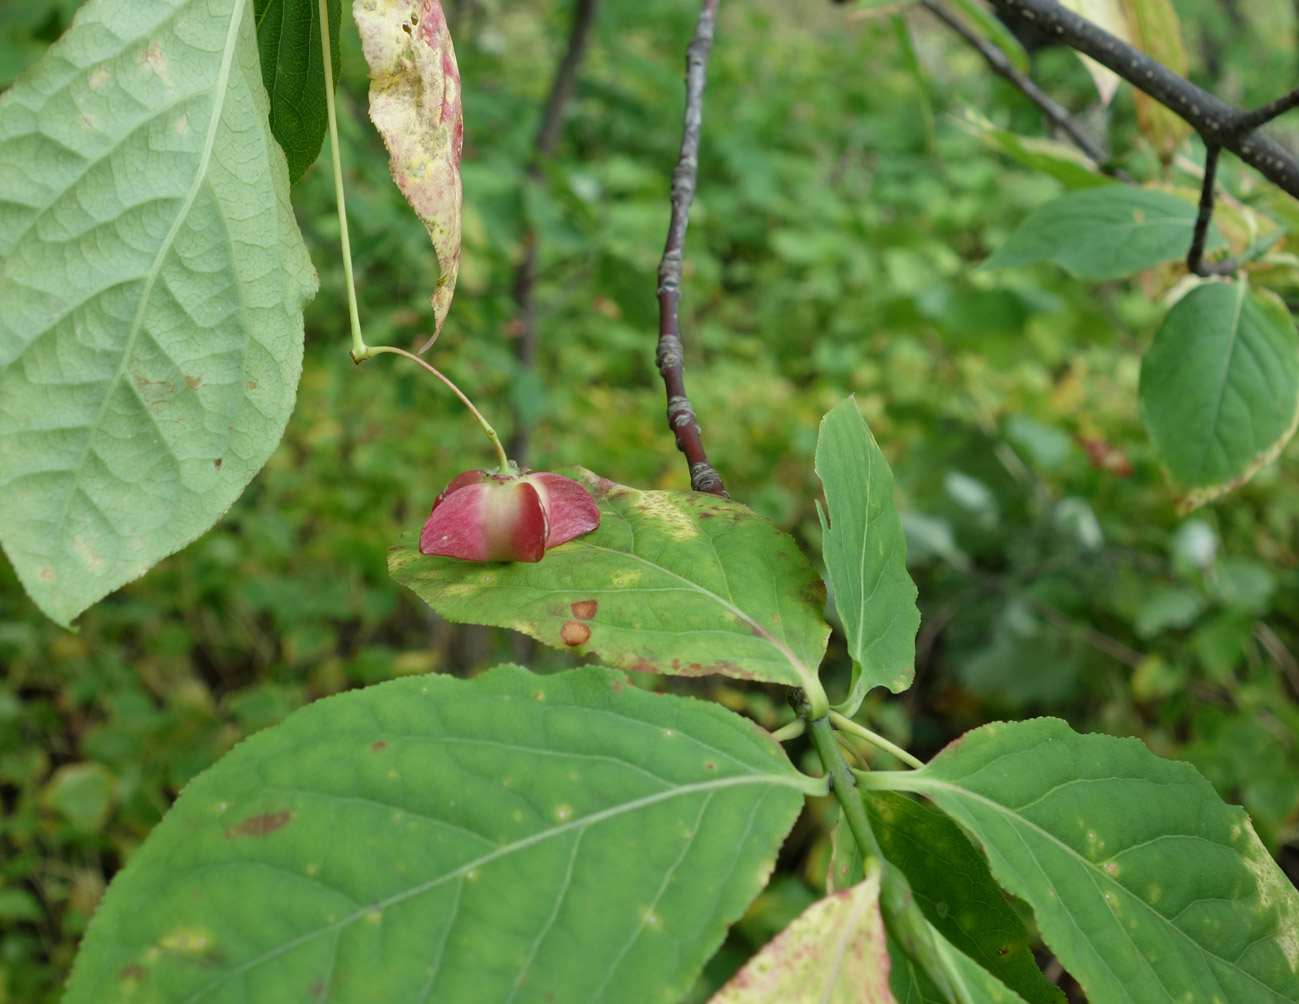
(833,954)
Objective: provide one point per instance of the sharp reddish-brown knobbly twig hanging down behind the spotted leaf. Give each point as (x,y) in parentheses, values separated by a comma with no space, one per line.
(681,414)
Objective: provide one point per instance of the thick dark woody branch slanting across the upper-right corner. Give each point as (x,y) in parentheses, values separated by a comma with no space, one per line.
(1219,124)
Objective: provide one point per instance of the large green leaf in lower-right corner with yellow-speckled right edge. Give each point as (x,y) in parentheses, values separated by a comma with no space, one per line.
(1145,884)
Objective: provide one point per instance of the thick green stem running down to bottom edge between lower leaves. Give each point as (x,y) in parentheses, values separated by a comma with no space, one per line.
(897,902)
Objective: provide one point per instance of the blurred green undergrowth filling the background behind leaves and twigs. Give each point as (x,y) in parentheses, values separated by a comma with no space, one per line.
(833,251)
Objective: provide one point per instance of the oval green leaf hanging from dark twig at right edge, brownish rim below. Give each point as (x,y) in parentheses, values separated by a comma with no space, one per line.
(1220,388)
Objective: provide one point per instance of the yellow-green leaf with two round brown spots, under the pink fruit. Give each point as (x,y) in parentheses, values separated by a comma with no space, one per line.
(672,583)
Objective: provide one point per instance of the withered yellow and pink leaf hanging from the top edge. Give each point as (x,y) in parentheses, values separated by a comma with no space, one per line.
(415,103)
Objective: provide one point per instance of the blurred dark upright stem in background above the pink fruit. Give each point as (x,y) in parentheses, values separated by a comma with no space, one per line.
(548,140)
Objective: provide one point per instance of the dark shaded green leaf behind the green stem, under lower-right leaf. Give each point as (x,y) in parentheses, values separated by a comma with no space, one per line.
(957,893)
